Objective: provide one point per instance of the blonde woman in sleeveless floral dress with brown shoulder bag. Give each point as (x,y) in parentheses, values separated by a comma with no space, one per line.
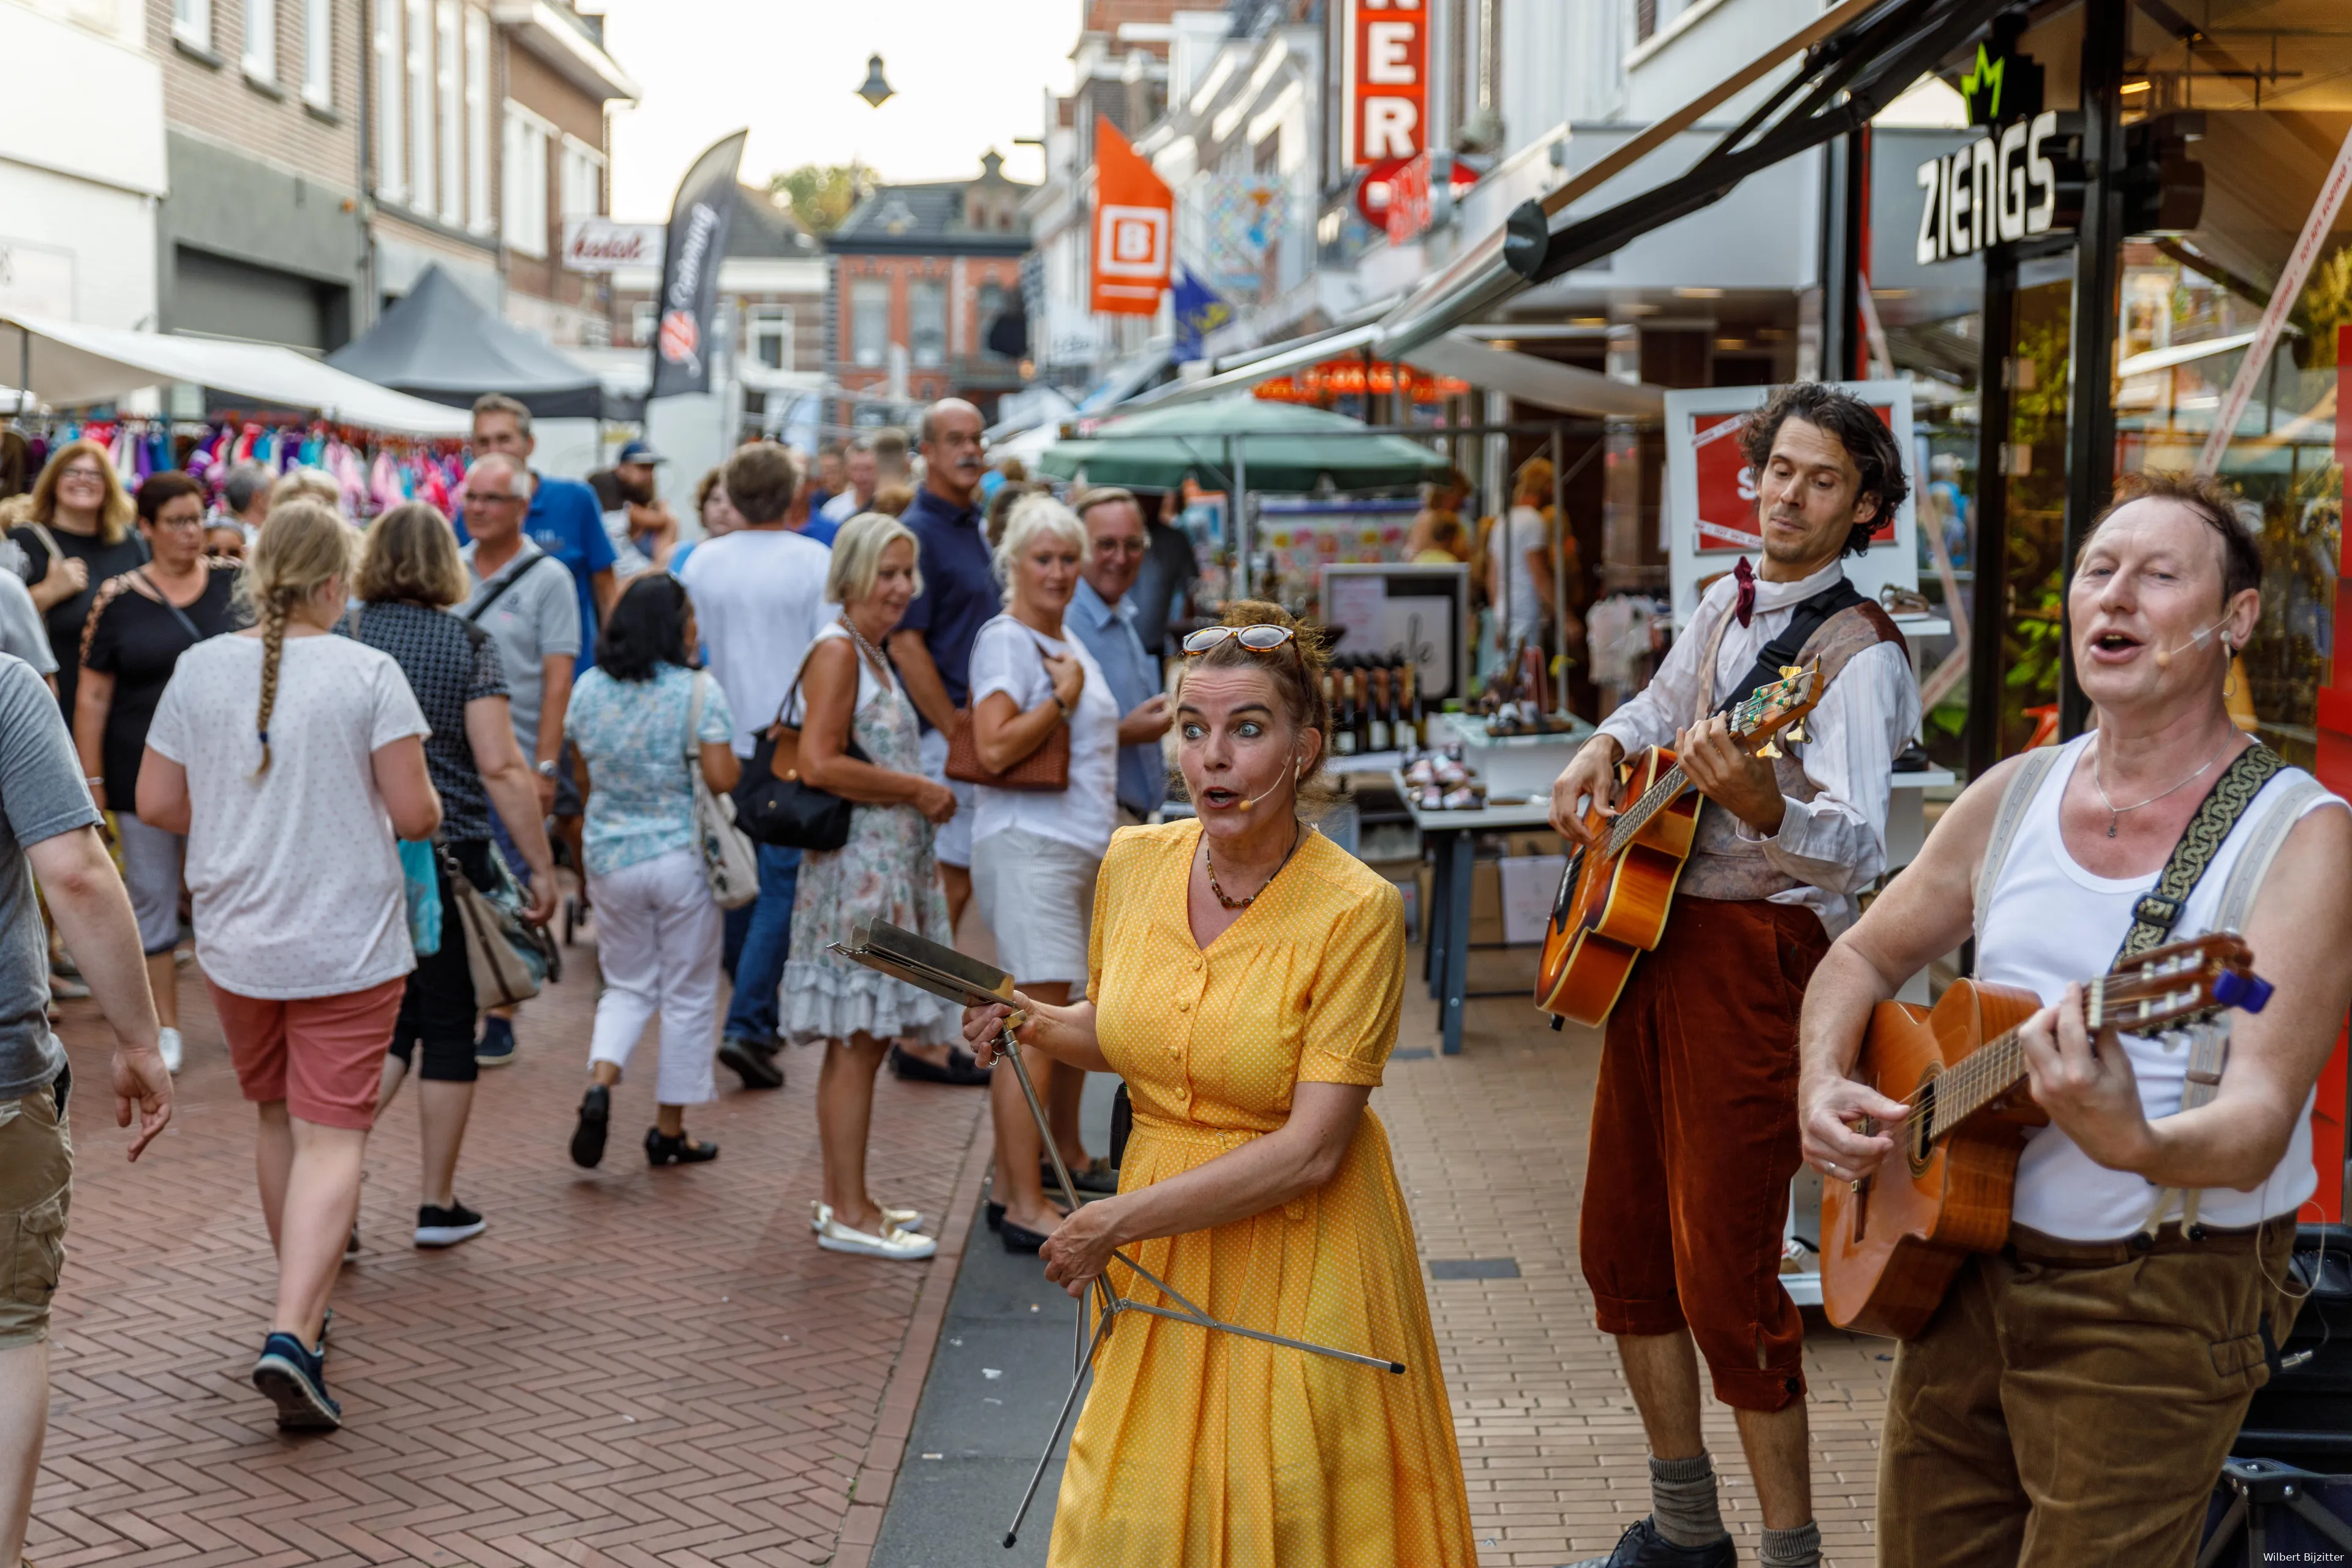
(886,873)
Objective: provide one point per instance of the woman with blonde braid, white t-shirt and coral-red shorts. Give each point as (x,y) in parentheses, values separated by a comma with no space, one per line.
(295,760)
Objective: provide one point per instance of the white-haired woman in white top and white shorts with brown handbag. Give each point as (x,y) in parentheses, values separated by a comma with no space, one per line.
(1045,756)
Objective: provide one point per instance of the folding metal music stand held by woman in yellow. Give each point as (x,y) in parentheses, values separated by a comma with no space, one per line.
(944,972)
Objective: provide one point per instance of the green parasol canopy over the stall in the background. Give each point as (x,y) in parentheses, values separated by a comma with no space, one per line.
(1288,450)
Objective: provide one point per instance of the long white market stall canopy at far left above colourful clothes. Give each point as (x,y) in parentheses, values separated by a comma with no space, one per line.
(72,366)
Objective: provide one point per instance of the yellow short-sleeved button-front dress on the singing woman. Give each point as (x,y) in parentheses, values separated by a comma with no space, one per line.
(1205,1449)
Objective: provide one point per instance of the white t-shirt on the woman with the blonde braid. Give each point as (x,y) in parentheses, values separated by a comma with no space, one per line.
(295,876)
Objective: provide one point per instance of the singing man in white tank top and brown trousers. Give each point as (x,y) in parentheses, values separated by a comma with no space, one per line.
(2076,1393)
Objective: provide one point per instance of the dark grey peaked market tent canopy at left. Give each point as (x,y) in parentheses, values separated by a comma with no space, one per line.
(446,347)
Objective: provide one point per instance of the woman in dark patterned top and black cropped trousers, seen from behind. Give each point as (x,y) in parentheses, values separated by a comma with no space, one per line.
(410,575)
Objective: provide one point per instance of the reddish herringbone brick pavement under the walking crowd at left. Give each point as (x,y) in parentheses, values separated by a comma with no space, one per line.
(632,1367)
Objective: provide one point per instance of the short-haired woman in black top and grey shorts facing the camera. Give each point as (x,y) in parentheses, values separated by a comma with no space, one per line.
(140,624)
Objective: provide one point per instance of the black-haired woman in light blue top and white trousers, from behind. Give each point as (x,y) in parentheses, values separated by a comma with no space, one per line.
(634,721)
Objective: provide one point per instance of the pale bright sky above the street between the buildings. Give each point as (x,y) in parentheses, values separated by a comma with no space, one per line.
(970,74)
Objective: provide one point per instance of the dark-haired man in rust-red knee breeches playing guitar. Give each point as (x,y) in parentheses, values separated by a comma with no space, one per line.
(1695,1125)
